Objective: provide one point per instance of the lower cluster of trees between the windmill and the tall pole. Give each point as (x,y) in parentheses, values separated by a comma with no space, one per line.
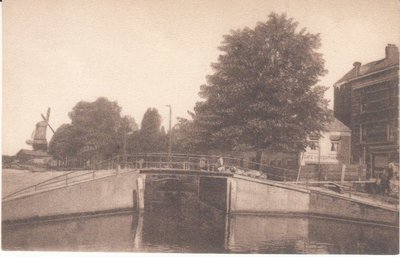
(97,131)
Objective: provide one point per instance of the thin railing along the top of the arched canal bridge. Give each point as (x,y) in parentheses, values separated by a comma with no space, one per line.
(119,164)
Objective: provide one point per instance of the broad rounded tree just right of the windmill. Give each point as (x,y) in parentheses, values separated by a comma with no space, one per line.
(97,131)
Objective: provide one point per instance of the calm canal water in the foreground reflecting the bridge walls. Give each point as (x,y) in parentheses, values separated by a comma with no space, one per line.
(203,230)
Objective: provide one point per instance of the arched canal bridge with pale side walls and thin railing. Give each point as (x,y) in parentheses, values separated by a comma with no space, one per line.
(148,182)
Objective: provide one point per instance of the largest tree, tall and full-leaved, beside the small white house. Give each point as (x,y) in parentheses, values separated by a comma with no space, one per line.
(263,91)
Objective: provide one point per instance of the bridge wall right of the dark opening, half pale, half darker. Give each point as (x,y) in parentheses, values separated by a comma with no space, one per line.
(250,195)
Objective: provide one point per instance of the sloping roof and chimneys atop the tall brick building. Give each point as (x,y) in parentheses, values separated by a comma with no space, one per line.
(391,59)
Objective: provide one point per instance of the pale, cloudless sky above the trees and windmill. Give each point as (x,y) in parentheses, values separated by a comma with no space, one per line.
(151,53)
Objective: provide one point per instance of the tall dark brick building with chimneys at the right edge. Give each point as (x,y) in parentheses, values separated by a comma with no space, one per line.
(366,99)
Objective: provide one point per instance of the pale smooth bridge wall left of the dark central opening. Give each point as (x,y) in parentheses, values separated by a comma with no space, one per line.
(103,194)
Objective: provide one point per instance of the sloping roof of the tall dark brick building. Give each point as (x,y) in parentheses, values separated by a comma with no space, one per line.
(370,67)
